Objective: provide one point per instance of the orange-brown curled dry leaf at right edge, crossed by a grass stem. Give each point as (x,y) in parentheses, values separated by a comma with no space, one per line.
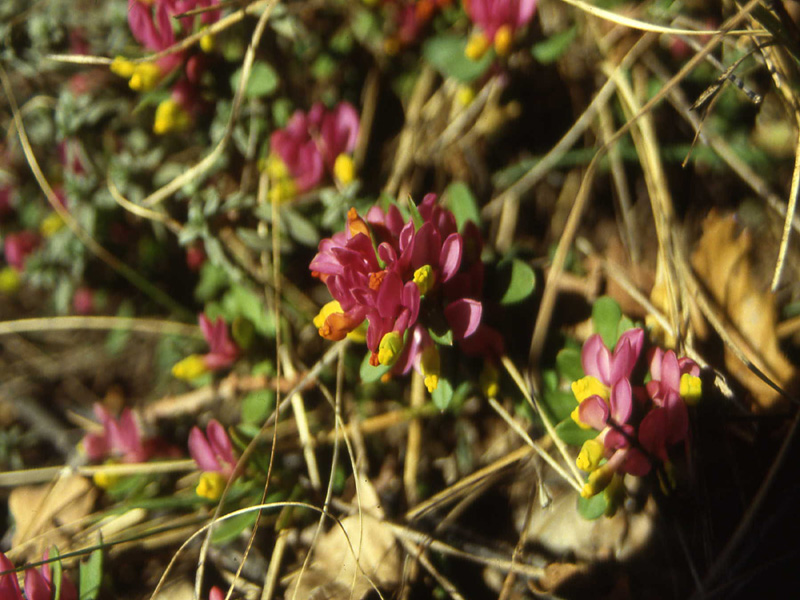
(723,264)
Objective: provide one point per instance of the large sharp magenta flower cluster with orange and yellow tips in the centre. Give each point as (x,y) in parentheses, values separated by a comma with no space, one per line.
(405,278)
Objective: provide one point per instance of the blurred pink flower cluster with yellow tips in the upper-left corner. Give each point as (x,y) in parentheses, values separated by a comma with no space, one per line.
(151,22)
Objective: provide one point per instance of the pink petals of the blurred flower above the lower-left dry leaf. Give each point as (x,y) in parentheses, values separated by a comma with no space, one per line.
(120,438)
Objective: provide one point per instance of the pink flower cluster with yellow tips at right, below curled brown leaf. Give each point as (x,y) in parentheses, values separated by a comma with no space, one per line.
(609,404)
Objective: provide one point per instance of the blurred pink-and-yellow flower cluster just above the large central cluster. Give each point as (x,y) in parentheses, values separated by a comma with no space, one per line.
(310,144)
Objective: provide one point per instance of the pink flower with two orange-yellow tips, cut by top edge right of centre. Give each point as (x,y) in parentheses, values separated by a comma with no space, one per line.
(496,21)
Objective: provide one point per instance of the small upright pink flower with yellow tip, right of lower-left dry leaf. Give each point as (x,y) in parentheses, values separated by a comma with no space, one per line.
(213,453)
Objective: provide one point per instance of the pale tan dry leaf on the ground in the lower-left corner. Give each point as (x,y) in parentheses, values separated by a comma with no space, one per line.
(39,510)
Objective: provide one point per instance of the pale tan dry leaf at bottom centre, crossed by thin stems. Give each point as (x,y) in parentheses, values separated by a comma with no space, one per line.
(335,572)
